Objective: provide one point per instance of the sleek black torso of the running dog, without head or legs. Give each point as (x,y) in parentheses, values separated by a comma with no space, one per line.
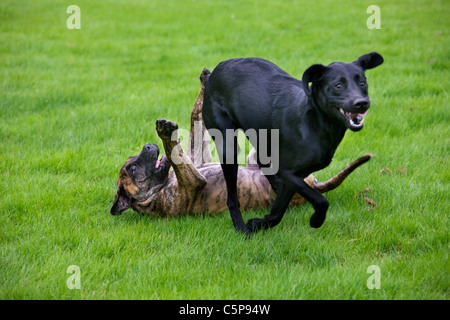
(253,93)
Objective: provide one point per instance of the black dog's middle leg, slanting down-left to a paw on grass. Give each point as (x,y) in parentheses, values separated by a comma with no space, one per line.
(284,196)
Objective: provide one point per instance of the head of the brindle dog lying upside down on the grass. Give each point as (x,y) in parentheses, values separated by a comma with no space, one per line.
(140,177)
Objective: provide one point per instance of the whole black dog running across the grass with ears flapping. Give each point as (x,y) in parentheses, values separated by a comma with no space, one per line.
(253,93)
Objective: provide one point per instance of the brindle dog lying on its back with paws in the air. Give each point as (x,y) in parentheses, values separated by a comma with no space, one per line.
(147,184)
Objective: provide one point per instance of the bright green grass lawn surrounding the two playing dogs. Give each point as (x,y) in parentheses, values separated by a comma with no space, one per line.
(76,103)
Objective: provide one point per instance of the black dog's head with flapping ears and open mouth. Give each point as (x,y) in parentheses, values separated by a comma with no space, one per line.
(341,90)
